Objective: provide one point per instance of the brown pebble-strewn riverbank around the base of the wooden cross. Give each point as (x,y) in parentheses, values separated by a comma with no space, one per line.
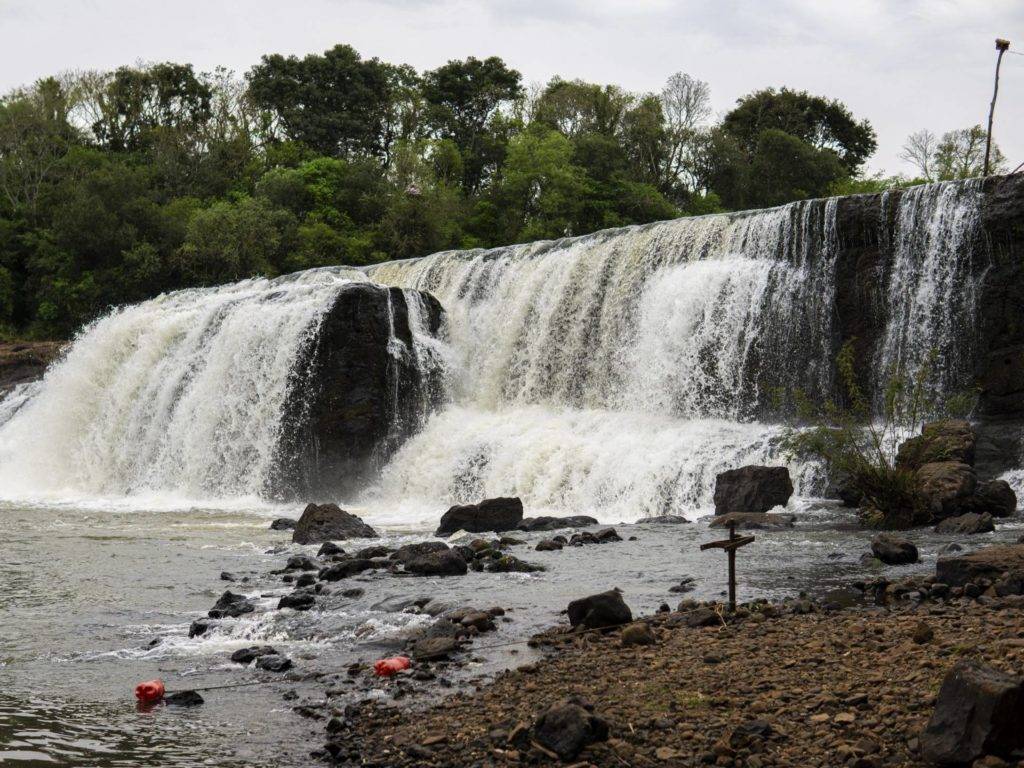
(776,689)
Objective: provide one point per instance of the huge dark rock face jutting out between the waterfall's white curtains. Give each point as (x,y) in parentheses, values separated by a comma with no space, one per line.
(359,390)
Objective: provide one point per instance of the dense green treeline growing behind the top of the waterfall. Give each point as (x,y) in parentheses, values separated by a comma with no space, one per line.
(118,186)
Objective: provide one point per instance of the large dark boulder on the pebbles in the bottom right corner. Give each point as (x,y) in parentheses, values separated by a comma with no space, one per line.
(979,711)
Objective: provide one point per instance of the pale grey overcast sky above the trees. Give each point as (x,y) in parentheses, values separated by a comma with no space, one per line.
(904,65)
